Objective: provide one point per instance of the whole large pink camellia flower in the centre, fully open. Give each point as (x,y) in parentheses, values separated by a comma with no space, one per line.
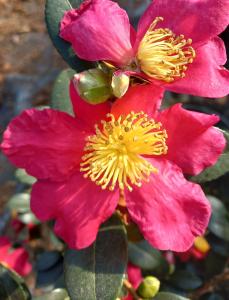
(130,151)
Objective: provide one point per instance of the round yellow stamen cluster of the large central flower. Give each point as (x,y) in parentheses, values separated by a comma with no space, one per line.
(114,154)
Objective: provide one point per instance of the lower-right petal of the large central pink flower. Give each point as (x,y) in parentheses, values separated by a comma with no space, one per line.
(169,210)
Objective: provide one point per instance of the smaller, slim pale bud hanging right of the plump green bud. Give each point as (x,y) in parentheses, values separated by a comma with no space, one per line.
(120,83)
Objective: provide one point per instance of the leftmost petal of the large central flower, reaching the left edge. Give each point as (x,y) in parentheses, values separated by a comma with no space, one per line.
(47,143)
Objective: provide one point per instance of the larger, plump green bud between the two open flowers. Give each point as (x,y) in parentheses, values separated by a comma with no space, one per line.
(93,86)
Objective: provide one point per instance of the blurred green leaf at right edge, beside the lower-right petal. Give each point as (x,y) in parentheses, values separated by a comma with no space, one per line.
(219,223)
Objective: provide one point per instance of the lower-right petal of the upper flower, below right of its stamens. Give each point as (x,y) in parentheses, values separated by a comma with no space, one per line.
(204,76)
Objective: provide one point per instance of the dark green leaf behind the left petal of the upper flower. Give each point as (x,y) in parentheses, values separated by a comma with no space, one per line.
(54,11)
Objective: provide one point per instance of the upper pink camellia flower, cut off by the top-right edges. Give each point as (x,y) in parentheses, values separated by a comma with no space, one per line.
(176,44)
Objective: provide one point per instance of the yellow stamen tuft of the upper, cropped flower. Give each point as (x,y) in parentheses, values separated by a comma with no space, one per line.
(164,56)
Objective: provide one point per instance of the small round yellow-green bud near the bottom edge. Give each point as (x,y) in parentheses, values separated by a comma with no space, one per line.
(149,287)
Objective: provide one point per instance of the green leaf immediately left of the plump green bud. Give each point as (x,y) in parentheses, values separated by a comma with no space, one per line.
(60,94)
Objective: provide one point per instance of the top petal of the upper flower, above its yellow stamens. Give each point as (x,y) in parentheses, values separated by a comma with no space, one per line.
(199,20)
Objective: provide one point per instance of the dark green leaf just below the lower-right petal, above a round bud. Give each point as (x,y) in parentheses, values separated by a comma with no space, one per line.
(147,258)
